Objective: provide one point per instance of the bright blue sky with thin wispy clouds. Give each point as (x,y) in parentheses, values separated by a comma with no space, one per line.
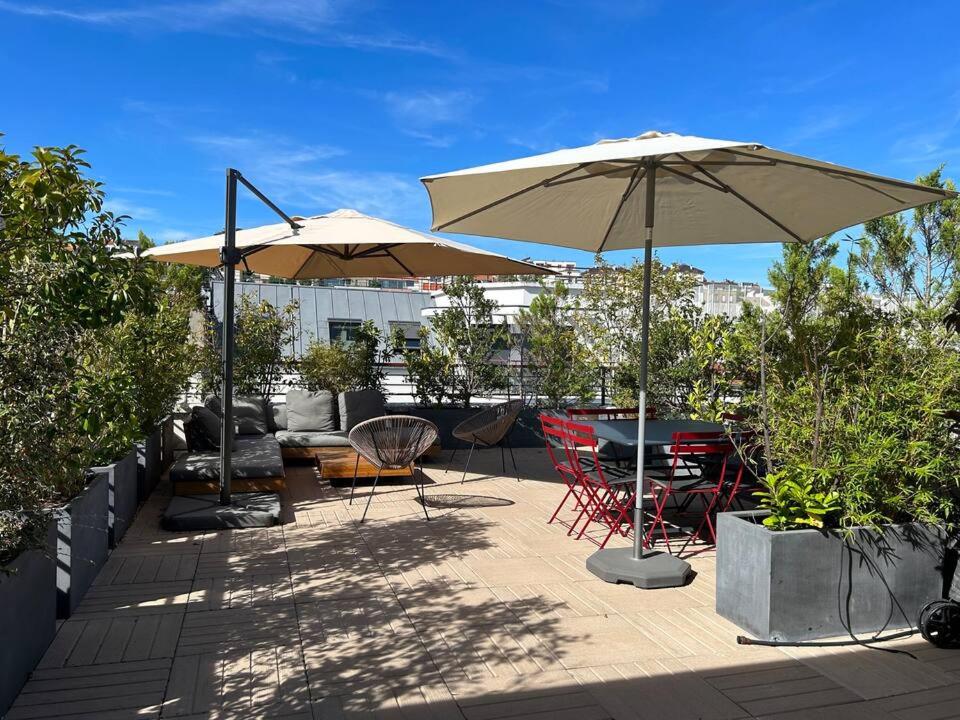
(343,103)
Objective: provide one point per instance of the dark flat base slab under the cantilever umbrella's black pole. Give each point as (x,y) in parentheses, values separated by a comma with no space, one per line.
(204,512)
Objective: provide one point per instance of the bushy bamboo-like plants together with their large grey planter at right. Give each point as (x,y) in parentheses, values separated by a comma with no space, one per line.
(854,417)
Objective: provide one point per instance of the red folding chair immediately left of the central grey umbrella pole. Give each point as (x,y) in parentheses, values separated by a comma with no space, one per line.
(607,500)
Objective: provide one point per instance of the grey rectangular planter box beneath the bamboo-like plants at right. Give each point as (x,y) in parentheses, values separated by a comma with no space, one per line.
(805,584)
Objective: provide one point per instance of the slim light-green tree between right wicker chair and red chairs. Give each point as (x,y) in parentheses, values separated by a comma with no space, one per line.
(554,357)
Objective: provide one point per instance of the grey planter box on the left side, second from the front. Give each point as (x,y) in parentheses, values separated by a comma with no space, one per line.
(82,544)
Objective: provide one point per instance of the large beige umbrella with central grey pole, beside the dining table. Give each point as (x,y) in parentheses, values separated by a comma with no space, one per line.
(700,191)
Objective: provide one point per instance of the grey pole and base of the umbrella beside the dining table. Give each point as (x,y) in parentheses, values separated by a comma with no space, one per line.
(642,569)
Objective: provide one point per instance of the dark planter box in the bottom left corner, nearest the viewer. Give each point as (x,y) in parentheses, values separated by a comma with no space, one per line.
(28,617)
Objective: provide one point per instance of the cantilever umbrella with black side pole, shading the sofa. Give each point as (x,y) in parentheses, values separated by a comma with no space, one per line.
(340,244)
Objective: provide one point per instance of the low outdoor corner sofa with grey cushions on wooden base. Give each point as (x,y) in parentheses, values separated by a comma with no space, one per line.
(268,432)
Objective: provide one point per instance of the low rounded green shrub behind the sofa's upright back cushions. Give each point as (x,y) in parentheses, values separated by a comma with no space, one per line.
(337,366)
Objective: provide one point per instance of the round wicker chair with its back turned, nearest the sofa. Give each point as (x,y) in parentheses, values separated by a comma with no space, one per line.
(392,442)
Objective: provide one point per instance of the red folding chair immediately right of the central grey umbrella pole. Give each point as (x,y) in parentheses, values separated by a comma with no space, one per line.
(697,470)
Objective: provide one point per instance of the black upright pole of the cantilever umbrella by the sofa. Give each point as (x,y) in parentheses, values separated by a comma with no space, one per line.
(228,259)
